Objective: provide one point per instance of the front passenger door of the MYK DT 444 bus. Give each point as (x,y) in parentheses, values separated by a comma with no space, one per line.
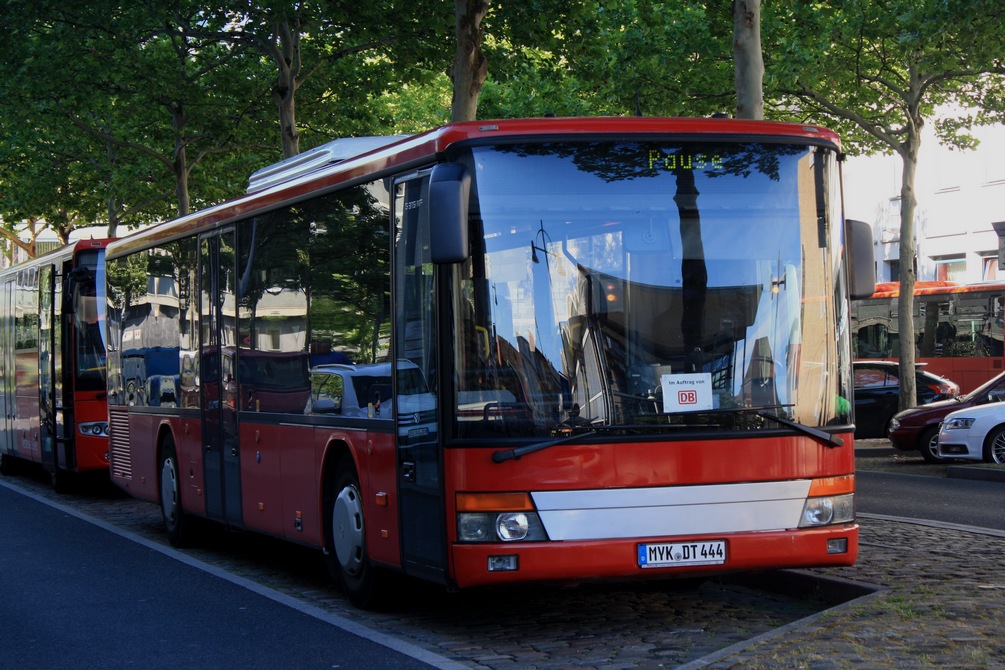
(421,479)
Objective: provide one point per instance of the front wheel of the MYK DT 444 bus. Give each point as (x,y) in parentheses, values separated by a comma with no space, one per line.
(346,544)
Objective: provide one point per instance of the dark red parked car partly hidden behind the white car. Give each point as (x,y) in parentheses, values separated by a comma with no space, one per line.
(918,428)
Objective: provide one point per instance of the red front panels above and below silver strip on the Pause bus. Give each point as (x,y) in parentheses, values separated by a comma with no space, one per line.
(636,466)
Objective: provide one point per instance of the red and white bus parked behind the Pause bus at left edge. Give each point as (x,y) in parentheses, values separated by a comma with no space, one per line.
(53,382)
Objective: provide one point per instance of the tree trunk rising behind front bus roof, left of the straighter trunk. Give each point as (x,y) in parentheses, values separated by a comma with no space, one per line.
(470,68)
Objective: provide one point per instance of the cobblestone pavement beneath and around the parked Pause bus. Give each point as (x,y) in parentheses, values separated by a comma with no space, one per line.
(940,605)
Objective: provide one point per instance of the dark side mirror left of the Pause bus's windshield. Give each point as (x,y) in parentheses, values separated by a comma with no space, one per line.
(450,189)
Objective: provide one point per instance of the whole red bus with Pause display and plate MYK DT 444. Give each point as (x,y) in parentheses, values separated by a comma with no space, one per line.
(501,352)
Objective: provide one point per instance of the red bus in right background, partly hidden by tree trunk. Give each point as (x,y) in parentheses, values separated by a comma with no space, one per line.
(958,329)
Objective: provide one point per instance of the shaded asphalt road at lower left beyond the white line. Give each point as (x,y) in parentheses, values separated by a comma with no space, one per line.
(74,595)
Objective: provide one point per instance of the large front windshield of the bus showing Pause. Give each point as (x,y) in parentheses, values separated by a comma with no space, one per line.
(651,287)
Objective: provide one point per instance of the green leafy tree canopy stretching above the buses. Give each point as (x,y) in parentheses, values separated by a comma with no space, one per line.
(124,114)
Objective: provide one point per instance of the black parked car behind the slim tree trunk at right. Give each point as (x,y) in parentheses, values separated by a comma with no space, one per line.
(878,394)
